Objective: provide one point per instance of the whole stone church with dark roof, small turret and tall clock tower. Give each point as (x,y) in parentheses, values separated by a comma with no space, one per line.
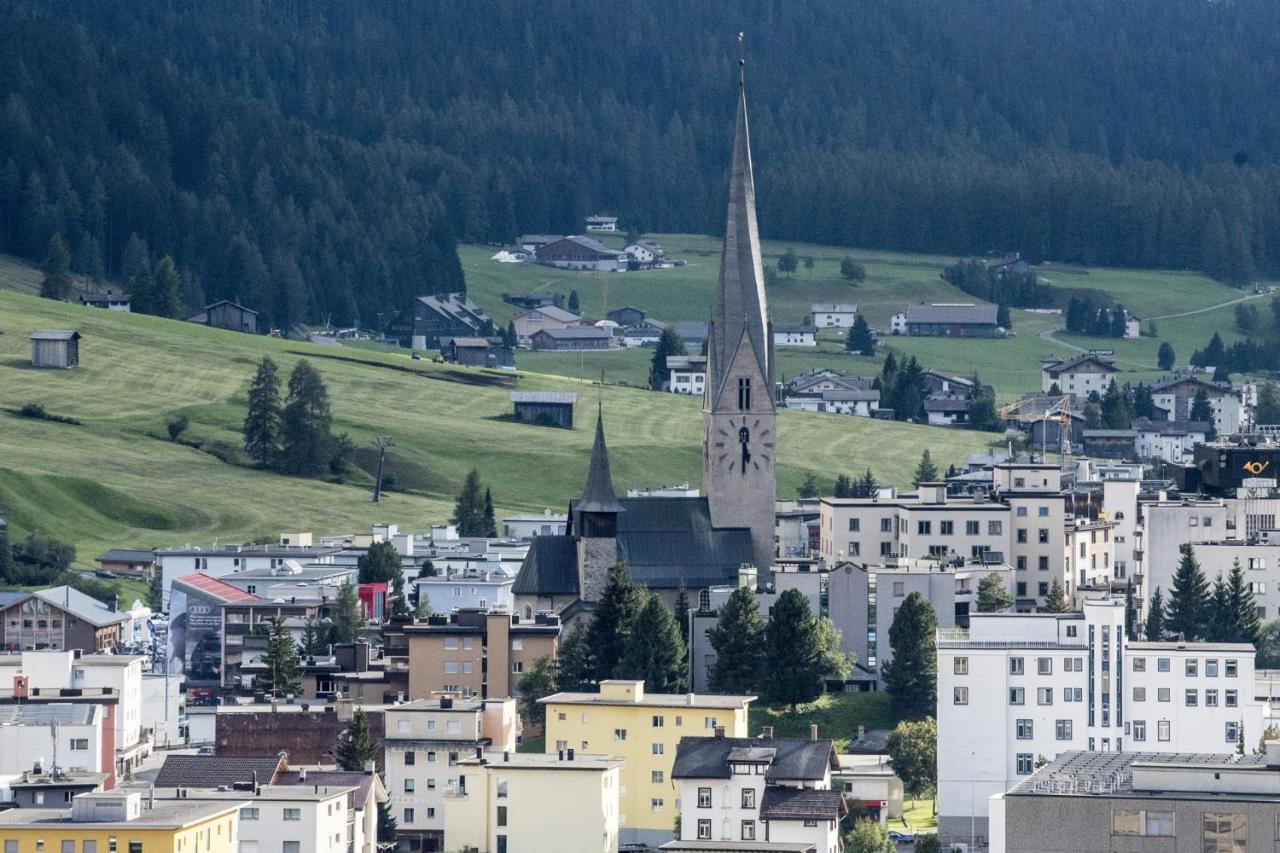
(725,536)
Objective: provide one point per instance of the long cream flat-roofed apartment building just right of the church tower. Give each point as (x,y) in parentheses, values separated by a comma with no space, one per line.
(1022,523)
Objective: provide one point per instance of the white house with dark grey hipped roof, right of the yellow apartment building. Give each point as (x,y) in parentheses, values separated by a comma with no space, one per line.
(757,793)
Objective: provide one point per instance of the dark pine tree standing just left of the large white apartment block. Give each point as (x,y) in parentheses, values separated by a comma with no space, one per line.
(912,677)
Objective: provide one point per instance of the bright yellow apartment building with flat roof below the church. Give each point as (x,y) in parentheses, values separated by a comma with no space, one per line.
(643,731)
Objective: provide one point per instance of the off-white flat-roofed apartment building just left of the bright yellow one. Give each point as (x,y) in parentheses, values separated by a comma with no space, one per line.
(423,743)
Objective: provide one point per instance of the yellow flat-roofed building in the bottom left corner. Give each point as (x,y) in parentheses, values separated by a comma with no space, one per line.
(122,823)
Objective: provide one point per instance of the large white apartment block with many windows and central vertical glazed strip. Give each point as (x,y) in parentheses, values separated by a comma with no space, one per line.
(1018,690)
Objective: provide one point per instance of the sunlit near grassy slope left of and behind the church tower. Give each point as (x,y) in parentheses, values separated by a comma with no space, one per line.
(113,482)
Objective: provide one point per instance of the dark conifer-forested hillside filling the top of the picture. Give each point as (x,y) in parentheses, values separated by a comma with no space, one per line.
(321,159)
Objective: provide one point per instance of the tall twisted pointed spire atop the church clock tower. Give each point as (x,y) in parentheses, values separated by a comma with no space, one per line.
(740,305)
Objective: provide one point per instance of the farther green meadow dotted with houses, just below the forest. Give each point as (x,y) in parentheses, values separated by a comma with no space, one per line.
(894,281)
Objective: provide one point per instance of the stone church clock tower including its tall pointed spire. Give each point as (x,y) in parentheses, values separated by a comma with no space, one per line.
(738,409)
